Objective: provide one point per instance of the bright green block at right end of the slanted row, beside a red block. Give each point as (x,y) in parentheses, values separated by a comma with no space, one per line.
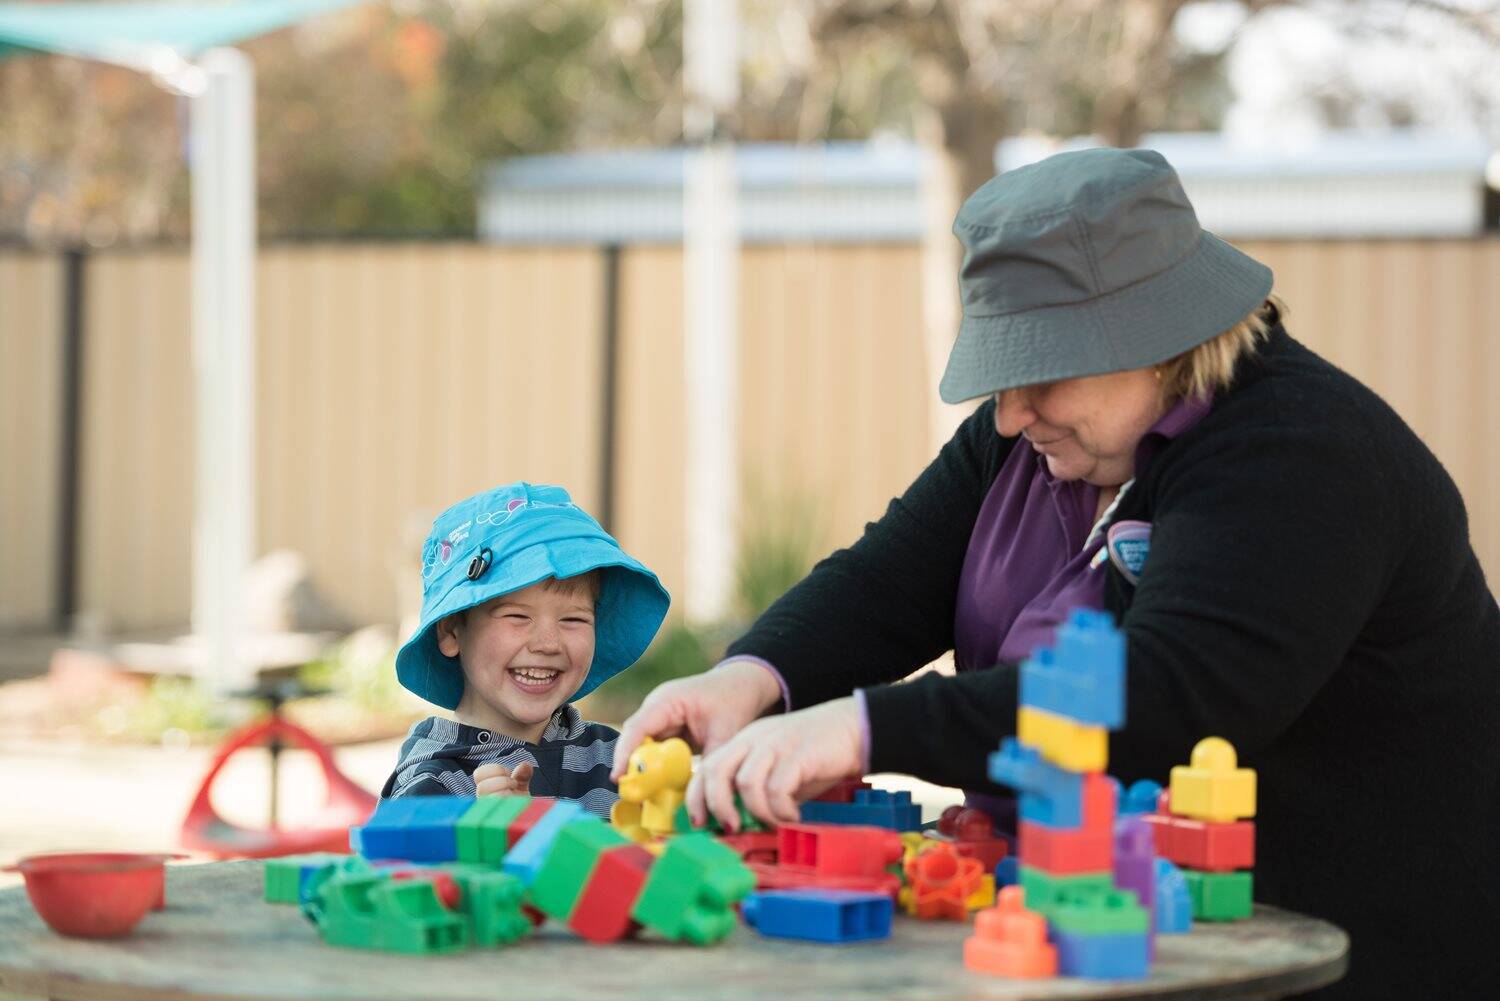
(692,891)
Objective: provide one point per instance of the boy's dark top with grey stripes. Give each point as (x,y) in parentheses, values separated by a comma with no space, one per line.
(572,760)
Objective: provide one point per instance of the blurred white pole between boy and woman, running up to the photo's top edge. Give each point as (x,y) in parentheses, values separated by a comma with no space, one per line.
(712,305)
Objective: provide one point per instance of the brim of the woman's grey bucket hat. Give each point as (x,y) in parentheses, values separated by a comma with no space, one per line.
(1180,308)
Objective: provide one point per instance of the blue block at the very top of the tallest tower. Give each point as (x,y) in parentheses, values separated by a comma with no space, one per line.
(1084,675)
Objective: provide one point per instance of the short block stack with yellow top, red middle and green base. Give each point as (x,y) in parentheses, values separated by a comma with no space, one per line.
(1204,826)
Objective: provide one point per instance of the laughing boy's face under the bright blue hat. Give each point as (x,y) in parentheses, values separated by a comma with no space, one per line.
(524,655)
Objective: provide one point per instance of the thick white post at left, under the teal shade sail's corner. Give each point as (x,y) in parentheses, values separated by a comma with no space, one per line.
(223,155)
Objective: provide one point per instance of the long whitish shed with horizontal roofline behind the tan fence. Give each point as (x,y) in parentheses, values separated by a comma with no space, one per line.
(1339,185)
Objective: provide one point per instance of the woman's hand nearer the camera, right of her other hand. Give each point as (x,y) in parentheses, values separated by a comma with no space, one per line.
(775,763)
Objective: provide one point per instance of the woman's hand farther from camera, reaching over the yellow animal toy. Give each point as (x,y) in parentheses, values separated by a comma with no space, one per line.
(707,709)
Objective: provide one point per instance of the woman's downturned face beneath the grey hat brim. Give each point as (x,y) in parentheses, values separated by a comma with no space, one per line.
(1087,428)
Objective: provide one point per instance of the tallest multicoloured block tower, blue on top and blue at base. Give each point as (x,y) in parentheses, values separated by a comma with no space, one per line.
(1072,696)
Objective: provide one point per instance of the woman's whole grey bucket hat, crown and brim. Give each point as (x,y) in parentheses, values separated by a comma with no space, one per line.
(1087,263)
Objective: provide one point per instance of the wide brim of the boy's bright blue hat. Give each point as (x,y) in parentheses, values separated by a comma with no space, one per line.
(631,610)
